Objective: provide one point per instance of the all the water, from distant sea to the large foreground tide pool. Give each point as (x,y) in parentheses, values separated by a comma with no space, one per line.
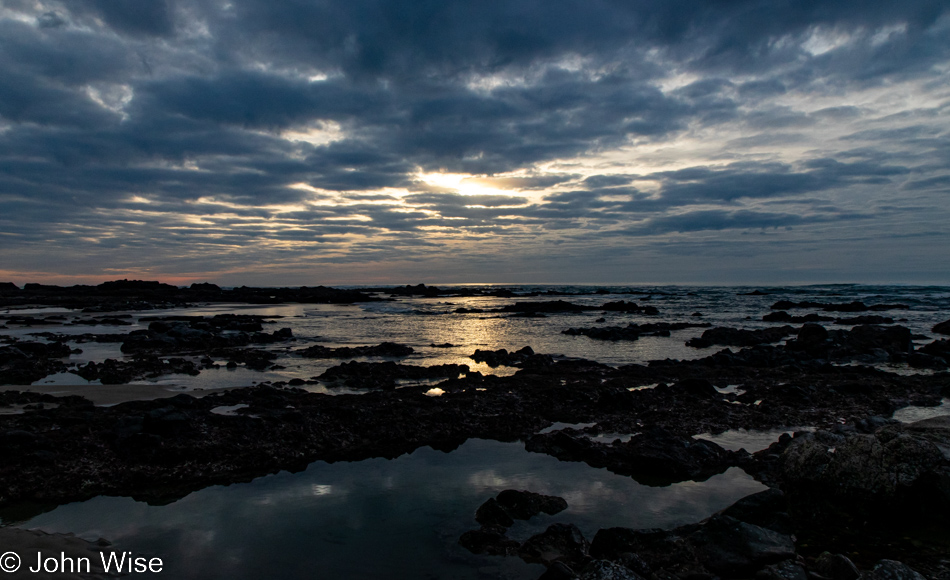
(402,518)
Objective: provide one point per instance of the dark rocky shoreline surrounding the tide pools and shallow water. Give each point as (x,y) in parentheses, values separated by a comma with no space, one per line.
(858,487)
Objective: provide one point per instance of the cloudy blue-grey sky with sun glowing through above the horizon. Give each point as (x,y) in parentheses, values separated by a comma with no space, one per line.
(299,142)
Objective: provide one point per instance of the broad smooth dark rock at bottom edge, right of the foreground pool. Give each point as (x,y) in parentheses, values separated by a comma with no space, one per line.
(731,548)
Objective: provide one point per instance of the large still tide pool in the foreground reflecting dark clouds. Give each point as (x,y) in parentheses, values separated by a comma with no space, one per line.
(381,518)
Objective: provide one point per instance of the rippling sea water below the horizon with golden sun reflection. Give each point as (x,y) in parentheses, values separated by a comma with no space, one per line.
(421,322)
